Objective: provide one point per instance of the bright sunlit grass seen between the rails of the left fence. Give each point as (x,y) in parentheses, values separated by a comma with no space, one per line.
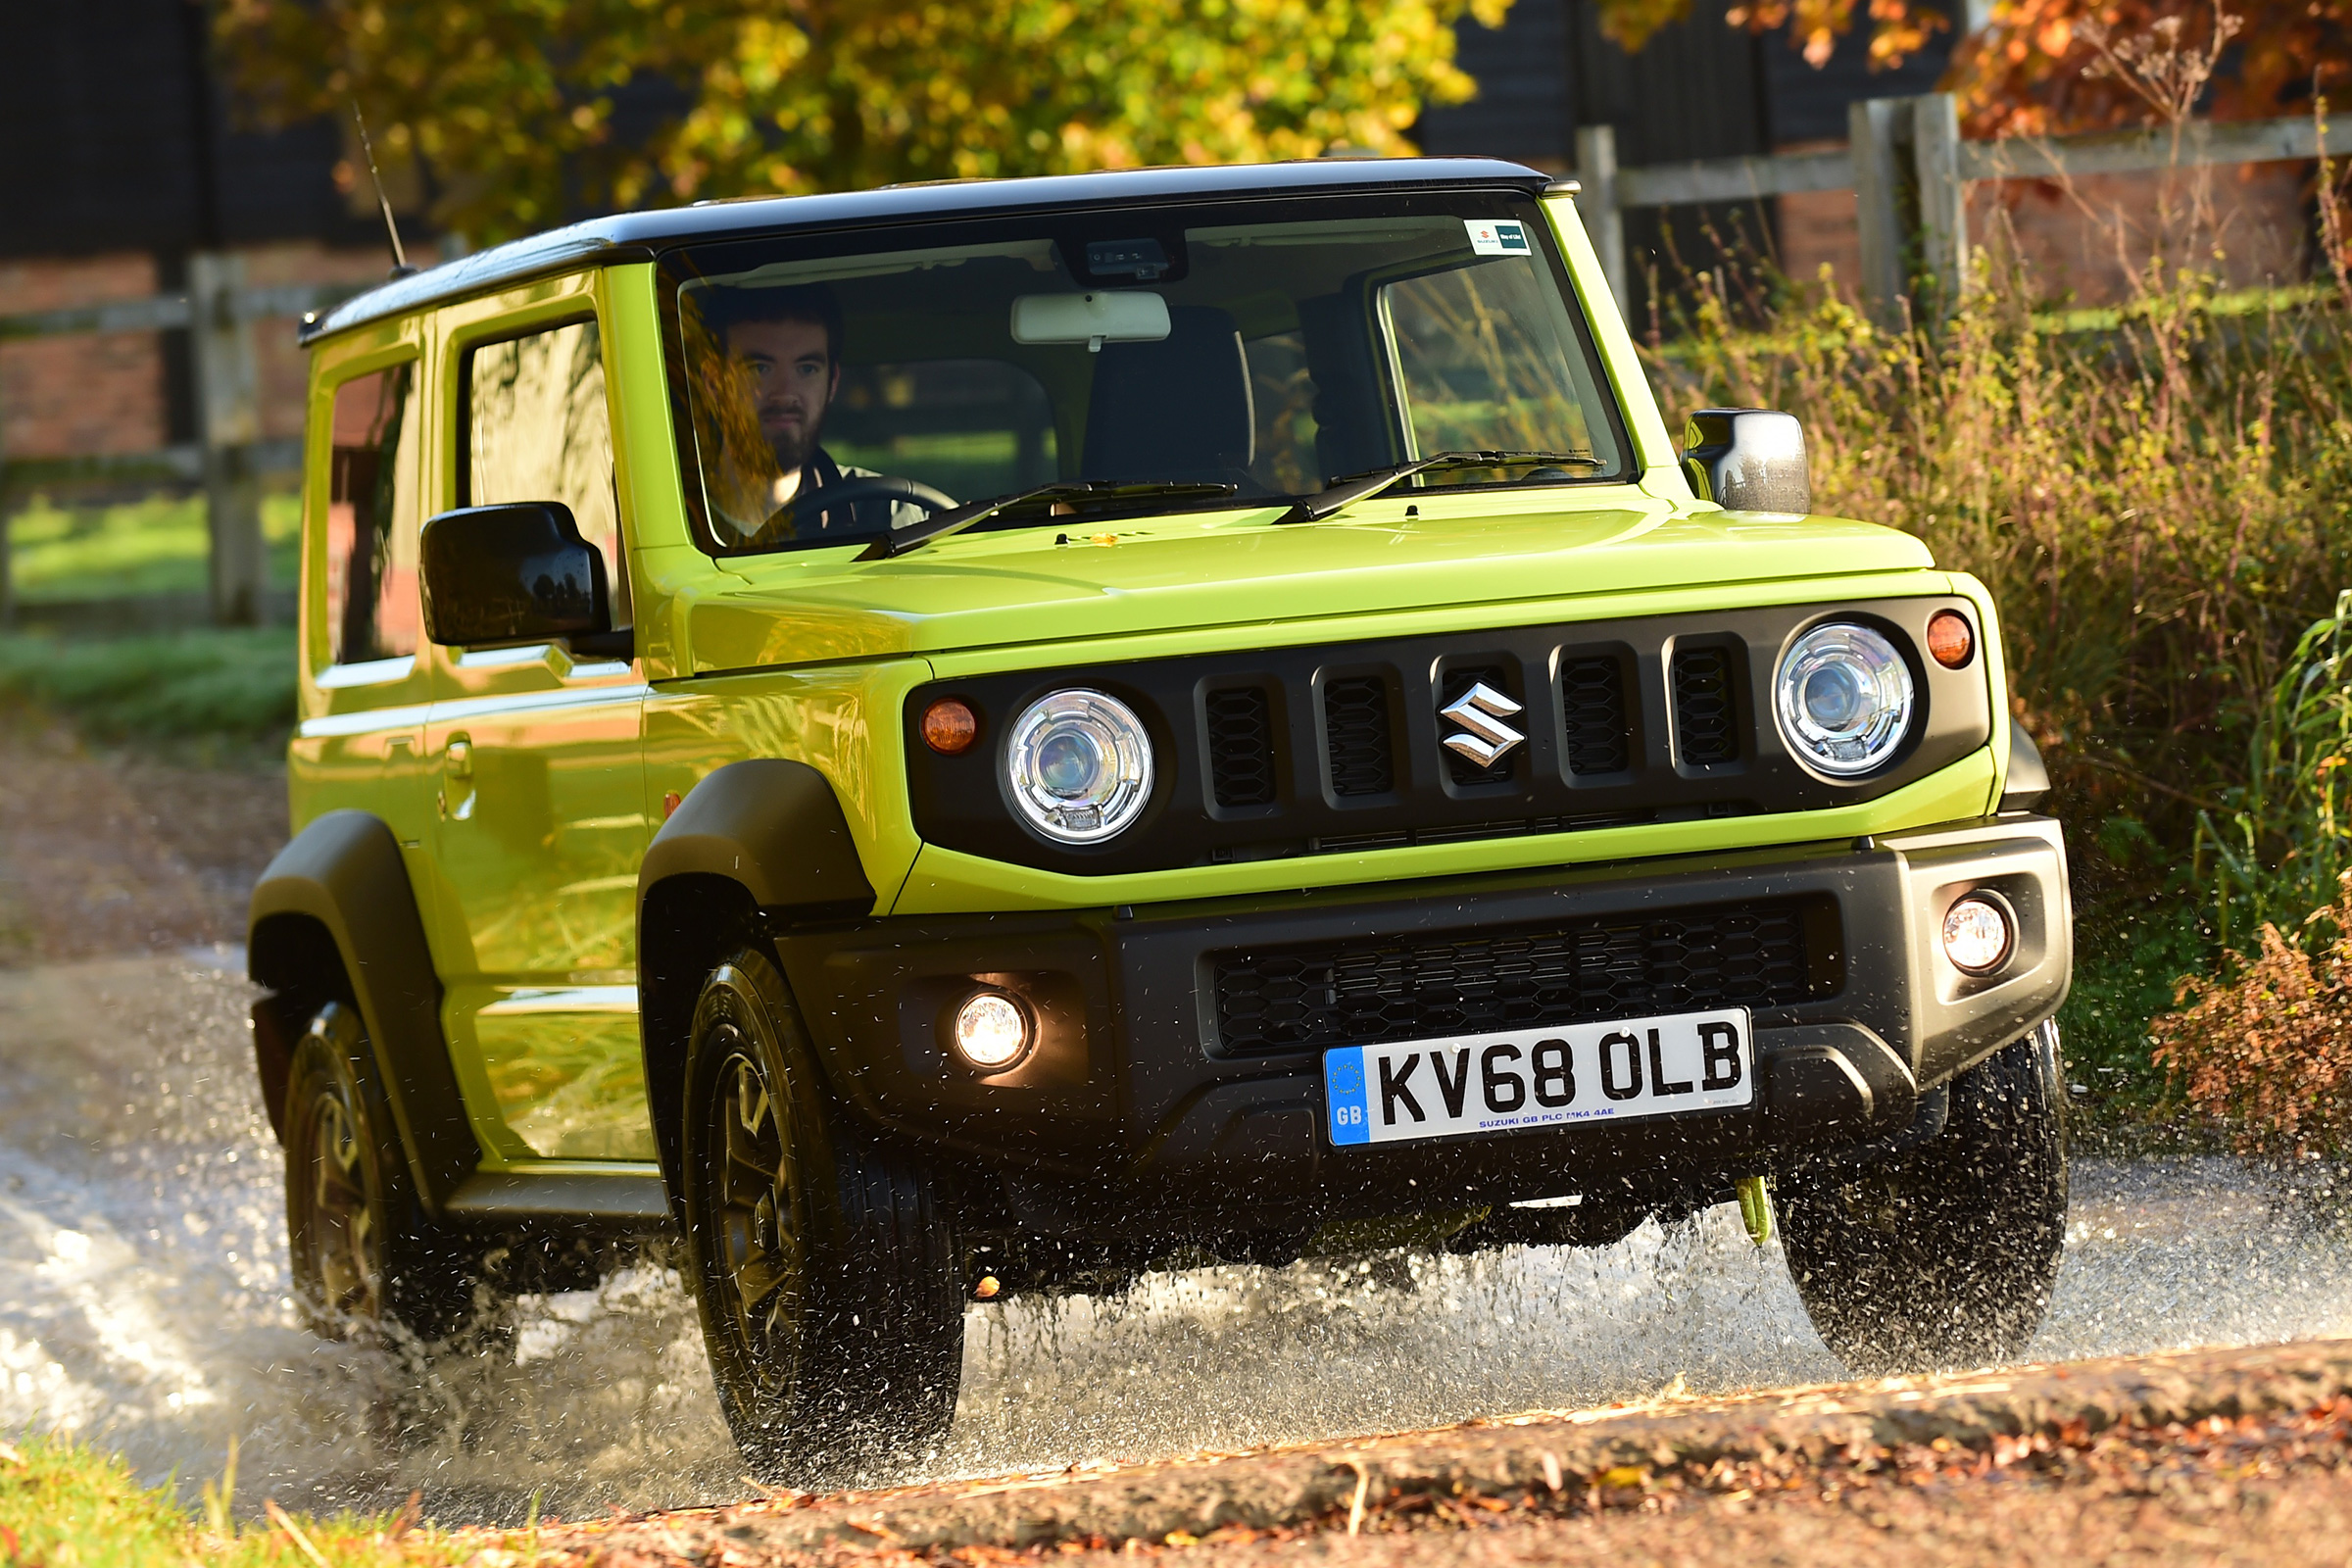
(67,554)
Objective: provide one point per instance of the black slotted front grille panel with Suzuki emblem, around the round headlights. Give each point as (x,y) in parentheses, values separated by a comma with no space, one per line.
(1292,751)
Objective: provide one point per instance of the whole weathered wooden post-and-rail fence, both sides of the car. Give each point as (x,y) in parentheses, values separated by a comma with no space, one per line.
(1906,166)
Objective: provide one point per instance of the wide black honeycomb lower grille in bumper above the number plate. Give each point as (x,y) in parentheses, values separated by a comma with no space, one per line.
(1605,967)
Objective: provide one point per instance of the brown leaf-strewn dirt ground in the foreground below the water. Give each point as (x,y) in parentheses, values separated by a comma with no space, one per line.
(2189,1459)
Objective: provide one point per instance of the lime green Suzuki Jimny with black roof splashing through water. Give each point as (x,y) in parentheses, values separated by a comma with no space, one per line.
(970,737)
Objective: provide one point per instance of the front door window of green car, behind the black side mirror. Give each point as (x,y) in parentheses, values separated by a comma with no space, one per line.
(537,429)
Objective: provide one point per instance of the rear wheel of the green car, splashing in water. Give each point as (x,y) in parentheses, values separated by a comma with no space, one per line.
(366,1257)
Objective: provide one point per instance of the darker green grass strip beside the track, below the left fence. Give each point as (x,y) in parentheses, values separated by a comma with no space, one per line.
(218,685)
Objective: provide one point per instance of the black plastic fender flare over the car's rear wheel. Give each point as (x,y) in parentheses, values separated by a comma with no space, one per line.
(342,894)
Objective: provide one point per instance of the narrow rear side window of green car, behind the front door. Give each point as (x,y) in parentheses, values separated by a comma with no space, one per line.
(373,518)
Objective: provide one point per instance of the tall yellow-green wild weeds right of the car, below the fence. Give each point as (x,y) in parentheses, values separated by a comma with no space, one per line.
(2158,507)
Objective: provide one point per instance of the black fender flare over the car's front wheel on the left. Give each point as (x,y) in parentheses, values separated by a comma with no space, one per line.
(761,838)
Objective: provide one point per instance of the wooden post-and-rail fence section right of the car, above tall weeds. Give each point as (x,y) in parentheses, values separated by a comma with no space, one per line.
(1911,173)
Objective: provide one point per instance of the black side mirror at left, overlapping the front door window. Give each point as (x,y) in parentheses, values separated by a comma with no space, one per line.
(516,572)
